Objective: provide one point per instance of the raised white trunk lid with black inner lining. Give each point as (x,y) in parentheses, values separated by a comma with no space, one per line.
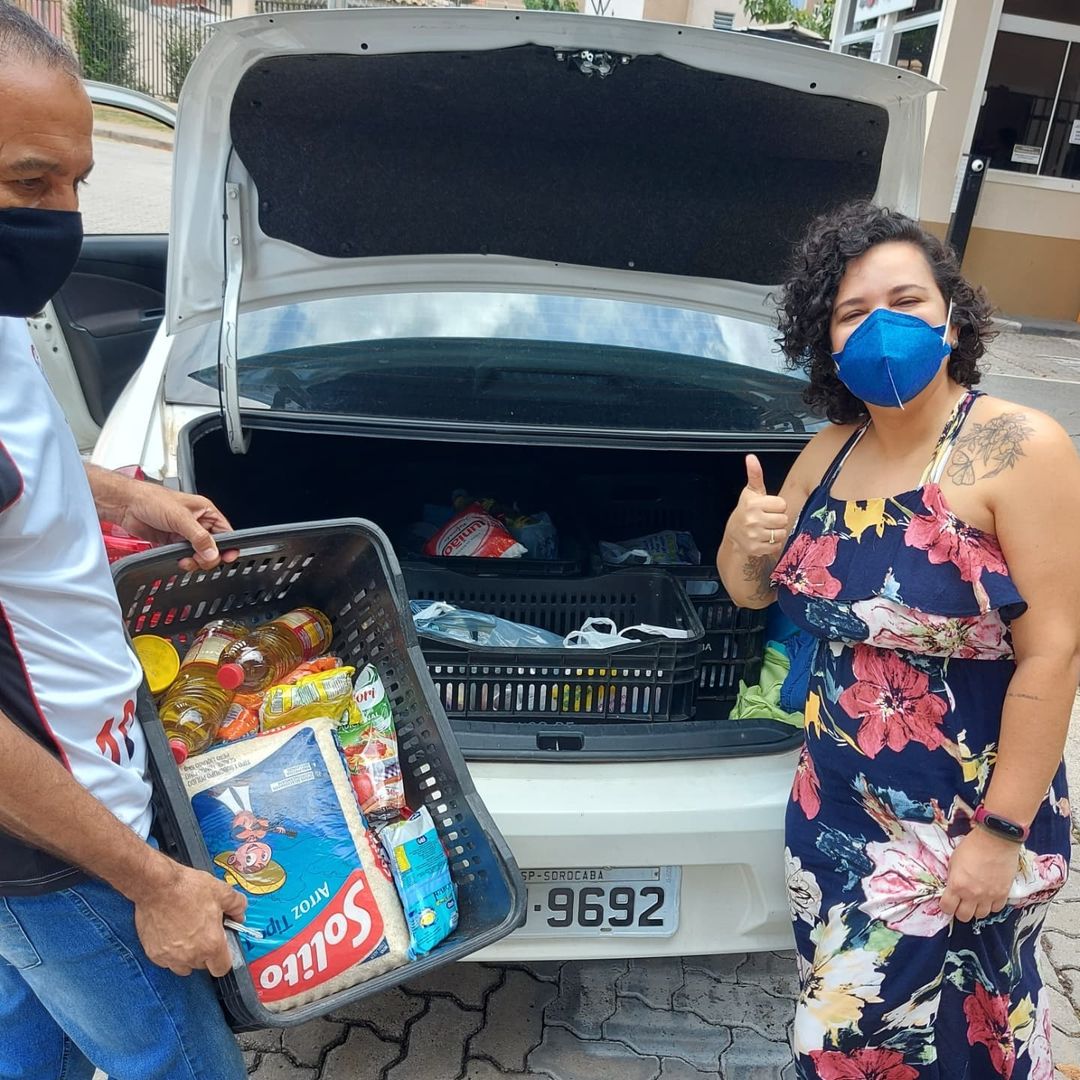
(333,153)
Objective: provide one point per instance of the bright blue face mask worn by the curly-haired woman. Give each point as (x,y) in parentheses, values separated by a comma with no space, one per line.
(892,357)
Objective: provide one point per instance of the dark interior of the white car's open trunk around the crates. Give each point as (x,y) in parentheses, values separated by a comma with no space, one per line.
(591,494)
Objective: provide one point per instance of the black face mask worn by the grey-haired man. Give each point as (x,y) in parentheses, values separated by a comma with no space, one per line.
(38,252)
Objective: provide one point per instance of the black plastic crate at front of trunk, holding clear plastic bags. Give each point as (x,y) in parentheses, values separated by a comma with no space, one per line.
(650,681)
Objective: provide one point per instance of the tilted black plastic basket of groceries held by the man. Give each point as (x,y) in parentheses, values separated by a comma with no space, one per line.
(347,570)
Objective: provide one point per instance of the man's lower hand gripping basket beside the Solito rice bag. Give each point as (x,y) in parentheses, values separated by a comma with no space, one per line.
(180,920)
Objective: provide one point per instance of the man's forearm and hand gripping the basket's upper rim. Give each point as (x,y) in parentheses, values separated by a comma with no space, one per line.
(161,516)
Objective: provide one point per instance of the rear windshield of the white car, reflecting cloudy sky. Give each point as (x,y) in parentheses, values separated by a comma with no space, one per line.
(520,360)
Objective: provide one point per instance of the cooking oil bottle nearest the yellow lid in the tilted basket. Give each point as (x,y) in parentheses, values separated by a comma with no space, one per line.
(196,704)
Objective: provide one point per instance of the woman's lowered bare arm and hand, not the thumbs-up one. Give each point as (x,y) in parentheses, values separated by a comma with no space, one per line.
(1036,504)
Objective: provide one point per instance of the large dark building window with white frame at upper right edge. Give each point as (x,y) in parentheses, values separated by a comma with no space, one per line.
(1030,121)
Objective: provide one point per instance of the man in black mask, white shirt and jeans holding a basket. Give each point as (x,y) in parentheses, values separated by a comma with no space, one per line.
(105,943)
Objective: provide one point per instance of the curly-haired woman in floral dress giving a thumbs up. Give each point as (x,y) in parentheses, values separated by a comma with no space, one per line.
(926,538)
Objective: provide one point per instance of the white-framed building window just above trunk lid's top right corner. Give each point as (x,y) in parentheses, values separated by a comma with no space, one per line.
(904,36)
